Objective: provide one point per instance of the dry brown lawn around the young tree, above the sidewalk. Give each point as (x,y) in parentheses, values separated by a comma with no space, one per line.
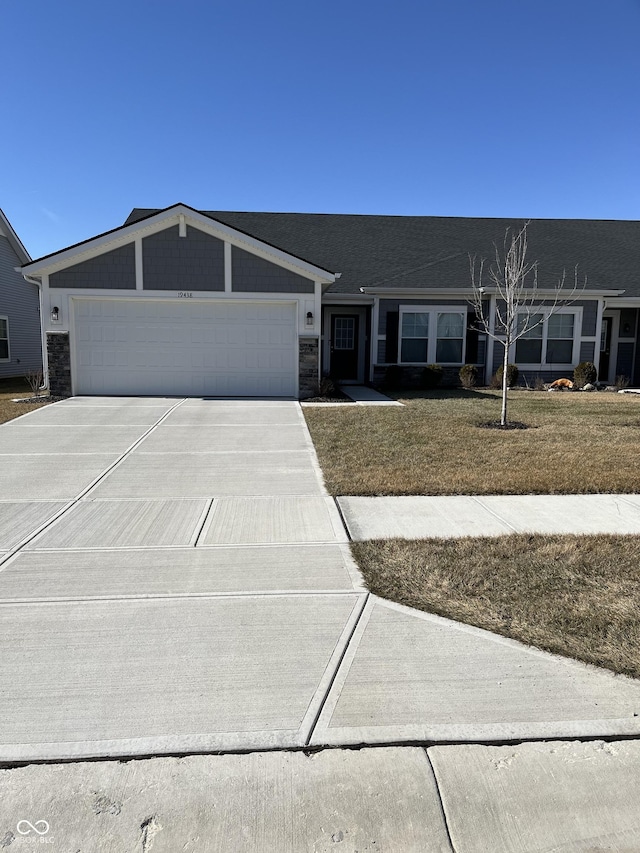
(577,443)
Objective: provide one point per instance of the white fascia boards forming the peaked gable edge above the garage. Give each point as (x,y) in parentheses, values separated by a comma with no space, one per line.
(158,222)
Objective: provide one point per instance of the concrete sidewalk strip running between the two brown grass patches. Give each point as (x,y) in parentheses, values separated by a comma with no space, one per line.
(424,517)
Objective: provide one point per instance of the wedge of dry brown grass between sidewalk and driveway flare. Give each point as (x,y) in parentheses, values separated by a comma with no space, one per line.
(575,596)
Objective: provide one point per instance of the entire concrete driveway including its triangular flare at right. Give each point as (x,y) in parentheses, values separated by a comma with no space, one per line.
(174,578)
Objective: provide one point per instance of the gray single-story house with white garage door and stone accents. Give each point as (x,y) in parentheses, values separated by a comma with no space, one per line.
(182,302)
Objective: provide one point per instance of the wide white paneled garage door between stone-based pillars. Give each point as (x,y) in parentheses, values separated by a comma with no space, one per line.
(185,348)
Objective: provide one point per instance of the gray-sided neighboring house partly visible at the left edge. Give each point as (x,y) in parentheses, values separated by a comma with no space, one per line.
(20,335)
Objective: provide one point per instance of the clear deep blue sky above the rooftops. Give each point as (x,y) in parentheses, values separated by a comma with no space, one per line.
(450,108)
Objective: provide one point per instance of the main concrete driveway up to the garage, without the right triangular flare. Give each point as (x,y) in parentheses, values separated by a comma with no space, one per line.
(173,578)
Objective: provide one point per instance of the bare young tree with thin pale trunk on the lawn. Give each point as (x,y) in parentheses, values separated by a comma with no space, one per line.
(520,306)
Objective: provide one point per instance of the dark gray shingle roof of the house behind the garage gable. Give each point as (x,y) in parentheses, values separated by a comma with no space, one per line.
(432,251)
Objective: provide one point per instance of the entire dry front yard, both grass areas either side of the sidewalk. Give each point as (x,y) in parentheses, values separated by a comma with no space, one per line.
(573,595)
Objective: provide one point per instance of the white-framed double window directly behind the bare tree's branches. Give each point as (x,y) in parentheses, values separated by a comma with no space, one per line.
(550,339)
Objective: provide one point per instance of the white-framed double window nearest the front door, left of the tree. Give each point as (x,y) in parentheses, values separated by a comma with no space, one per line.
(431,335)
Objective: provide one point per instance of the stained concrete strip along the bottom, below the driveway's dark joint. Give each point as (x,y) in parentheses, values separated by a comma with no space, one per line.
(523,798)
